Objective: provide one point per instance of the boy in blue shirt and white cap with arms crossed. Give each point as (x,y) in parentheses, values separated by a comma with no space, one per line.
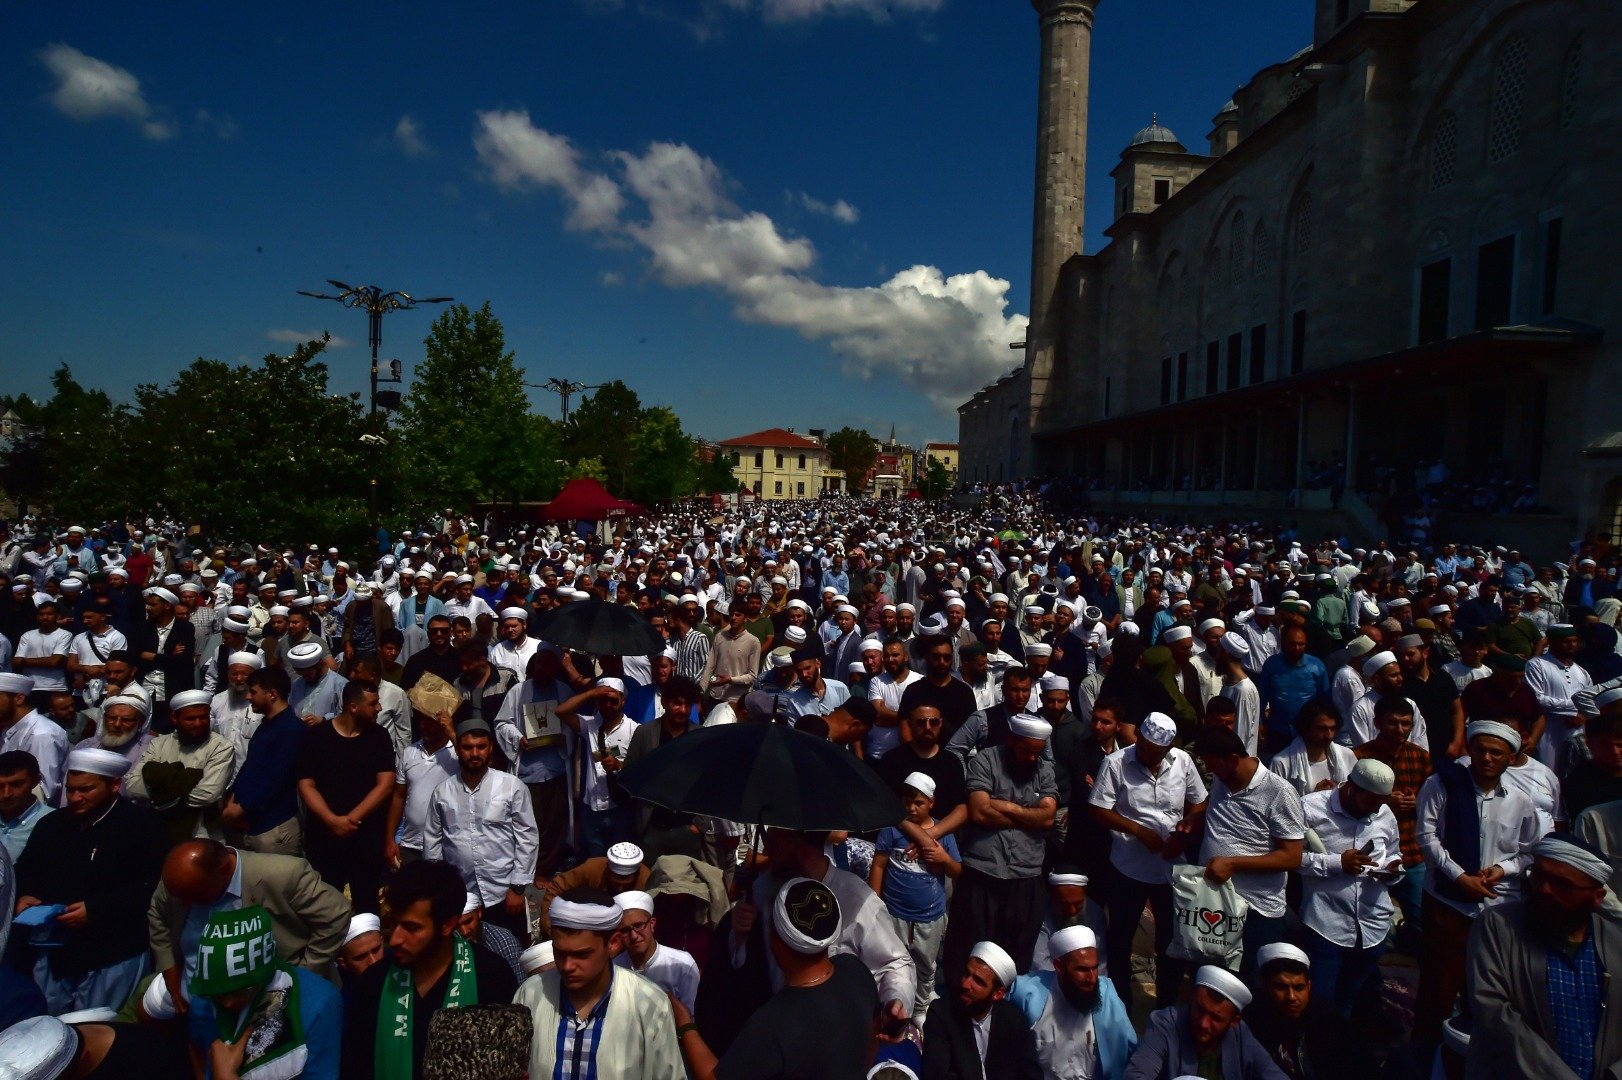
(912,885)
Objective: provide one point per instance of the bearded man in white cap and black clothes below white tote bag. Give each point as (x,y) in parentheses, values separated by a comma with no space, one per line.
(1308,1039)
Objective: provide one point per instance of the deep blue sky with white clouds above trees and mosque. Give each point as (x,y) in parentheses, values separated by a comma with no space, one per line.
(800,213)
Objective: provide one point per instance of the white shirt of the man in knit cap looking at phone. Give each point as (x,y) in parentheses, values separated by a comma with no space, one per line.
(1349,911)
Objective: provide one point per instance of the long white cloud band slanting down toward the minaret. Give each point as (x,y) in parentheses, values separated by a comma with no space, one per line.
(942,335)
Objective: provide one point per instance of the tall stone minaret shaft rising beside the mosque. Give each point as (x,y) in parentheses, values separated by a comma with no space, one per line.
(1062,189)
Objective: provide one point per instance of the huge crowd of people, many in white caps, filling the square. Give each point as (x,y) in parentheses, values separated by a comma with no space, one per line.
(1170,802)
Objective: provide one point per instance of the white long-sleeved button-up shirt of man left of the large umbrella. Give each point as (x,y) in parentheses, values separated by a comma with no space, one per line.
(487,833)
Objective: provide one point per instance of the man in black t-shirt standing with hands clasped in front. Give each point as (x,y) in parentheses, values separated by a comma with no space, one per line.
(346,779)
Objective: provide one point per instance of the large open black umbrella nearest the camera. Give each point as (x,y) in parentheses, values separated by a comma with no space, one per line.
(765,774)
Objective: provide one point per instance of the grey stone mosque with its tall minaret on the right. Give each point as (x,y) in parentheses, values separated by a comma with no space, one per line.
(1389,268)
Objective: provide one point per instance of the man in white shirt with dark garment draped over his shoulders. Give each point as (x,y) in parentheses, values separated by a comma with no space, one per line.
(1474,831)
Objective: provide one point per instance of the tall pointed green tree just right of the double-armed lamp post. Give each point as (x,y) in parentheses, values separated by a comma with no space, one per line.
(465,426)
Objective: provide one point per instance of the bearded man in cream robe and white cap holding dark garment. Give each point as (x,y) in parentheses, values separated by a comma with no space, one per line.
(184,774)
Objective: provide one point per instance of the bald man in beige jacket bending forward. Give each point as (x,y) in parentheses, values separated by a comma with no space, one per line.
(205,876)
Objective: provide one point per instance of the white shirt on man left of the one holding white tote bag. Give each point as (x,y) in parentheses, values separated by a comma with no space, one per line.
(1157,800)
